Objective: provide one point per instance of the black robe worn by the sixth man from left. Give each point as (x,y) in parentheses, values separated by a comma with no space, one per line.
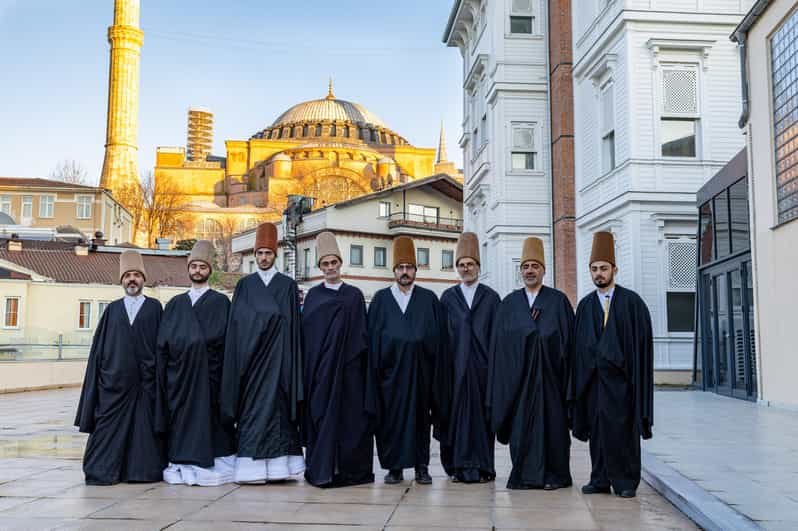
(467,440)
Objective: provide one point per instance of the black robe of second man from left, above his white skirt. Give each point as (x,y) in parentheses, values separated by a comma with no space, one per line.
(190,355)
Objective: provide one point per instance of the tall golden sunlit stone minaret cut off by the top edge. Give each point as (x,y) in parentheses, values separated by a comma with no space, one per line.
(120,167)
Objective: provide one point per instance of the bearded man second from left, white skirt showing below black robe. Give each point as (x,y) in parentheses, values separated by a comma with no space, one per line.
(190,354)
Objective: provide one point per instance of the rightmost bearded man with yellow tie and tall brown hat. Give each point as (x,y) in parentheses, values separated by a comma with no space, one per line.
(612,387)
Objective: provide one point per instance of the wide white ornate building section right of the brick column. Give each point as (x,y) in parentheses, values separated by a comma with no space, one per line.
(656,102)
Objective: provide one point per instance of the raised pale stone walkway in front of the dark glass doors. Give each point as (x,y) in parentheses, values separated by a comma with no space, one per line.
(742,455)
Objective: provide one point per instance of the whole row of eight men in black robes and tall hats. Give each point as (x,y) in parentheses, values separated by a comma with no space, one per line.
(207,392)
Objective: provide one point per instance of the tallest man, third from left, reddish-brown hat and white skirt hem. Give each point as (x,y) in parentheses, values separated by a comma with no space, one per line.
(262,380)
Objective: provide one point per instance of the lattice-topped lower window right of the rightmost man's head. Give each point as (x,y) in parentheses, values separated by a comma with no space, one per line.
(680,289)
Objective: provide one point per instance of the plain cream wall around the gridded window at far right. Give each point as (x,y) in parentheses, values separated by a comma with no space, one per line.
(774,247)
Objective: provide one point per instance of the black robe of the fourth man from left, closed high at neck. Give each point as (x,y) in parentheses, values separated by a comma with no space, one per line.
(337,431)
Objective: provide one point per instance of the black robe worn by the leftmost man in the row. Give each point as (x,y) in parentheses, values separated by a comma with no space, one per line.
(118,399)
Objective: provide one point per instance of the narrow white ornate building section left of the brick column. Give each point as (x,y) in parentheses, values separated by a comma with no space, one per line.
(506,139)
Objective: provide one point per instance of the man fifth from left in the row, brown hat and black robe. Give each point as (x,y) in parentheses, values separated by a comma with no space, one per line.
(405,338)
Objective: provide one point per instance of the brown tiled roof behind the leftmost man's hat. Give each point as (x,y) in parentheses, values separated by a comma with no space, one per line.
(57,260)
